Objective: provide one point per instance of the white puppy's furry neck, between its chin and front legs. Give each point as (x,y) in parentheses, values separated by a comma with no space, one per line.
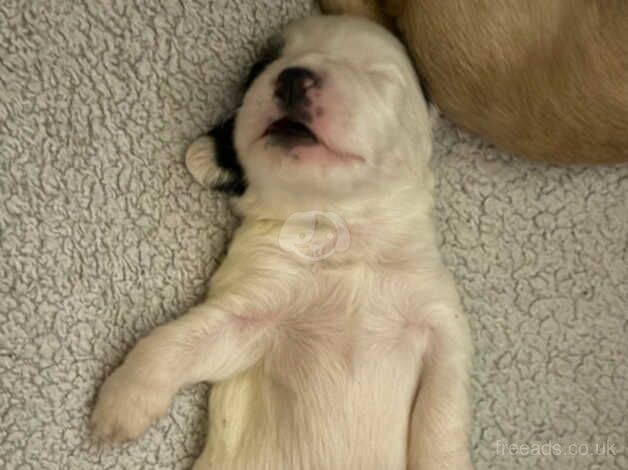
(392,227)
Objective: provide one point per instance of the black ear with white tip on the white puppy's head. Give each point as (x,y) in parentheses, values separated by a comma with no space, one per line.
(212,159)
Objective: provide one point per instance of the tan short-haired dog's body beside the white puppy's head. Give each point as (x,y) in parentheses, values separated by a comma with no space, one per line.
(547,80)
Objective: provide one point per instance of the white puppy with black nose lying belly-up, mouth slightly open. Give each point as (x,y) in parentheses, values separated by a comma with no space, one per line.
(332,332)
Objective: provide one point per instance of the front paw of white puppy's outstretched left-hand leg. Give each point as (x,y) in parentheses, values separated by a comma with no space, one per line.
(126,407)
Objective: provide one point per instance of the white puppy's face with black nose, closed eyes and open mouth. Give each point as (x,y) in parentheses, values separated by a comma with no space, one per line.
(340,109)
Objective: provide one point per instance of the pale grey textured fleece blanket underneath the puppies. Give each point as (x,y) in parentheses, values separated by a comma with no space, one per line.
(104,235)
